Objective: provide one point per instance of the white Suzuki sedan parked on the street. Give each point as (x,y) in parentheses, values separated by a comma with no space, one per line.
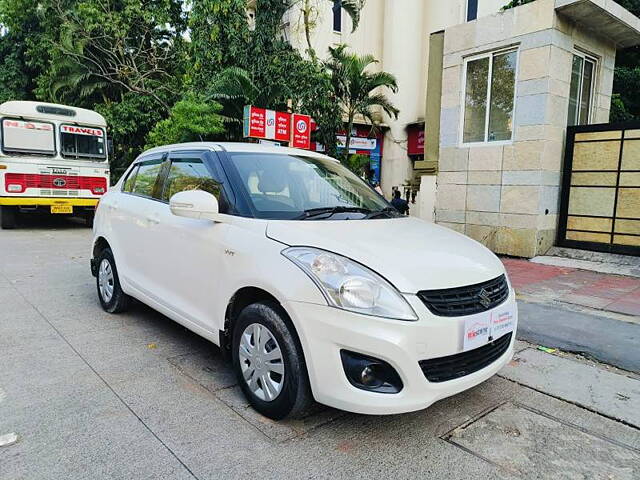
(306,277)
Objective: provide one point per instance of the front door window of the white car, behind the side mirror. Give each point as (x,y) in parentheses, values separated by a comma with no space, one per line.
(189,174)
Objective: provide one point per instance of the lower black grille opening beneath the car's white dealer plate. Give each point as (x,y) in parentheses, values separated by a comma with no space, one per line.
(461,364)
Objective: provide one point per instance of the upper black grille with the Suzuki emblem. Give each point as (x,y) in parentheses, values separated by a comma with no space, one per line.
(456,302)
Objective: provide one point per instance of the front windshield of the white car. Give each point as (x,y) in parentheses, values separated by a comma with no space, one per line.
(290,186)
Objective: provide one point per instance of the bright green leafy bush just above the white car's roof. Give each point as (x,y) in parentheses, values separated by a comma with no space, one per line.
(191,119)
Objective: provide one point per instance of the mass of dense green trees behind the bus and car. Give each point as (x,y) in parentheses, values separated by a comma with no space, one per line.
(131,61)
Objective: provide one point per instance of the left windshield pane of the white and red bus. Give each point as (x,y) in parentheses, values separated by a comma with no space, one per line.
(28,137)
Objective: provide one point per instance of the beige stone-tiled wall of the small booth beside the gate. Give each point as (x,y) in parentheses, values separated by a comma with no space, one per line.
(507,196)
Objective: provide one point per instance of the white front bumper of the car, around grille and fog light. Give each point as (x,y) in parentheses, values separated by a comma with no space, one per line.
(324,331)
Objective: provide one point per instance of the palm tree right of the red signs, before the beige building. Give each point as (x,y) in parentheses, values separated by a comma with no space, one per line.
(358,90)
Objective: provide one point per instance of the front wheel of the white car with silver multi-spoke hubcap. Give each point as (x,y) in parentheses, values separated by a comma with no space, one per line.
(294,396)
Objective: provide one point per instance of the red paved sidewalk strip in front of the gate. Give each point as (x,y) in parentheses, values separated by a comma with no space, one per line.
(547,283)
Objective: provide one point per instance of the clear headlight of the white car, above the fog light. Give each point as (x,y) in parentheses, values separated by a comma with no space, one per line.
(350,286)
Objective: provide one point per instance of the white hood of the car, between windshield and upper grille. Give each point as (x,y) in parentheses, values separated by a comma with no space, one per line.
(412,254)
